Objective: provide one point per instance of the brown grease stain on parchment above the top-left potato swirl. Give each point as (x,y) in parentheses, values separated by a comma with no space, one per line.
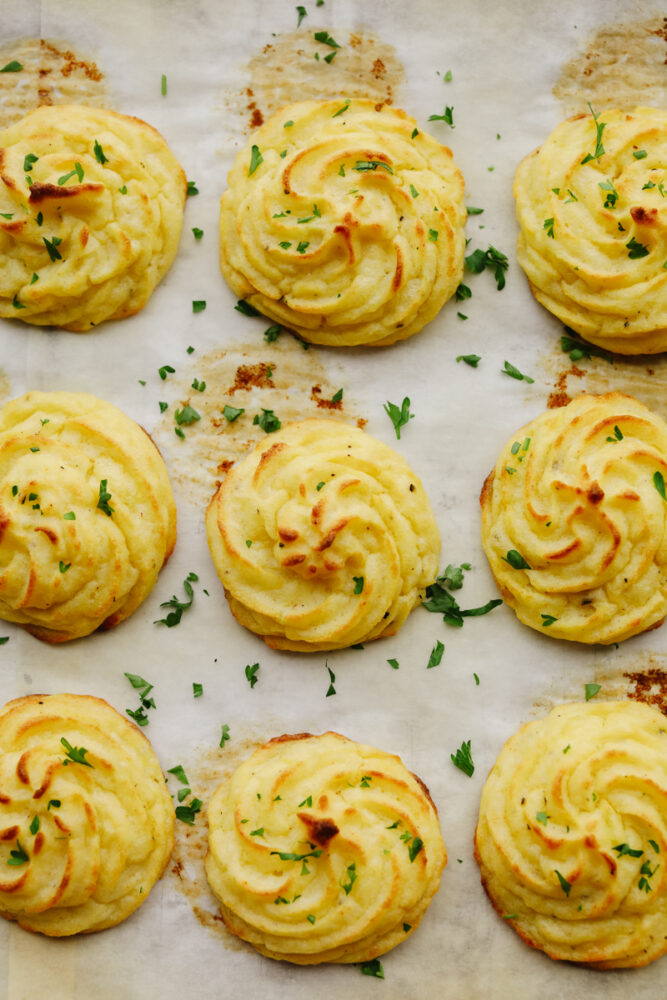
(53,73)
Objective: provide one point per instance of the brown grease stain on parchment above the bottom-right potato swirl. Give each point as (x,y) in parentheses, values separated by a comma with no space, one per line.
(640,676)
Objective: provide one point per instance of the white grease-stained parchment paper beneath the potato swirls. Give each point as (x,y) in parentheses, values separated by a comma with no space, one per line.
(505,60)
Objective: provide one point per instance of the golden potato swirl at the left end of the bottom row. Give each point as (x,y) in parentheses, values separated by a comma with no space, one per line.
(86,822)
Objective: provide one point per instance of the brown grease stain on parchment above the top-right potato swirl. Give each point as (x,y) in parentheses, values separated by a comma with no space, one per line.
(621,65)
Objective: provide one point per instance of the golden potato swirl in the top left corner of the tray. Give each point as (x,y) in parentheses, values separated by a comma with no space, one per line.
(91,208)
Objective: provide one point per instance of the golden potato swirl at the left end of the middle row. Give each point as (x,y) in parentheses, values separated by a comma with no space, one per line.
(71,560)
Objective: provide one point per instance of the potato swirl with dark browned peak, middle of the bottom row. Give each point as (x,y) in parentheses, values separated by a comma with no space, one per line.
(323,850)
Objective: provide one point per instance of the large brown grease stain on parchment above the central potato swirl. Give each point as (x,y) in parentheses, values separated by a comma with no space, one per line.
(281,376)
